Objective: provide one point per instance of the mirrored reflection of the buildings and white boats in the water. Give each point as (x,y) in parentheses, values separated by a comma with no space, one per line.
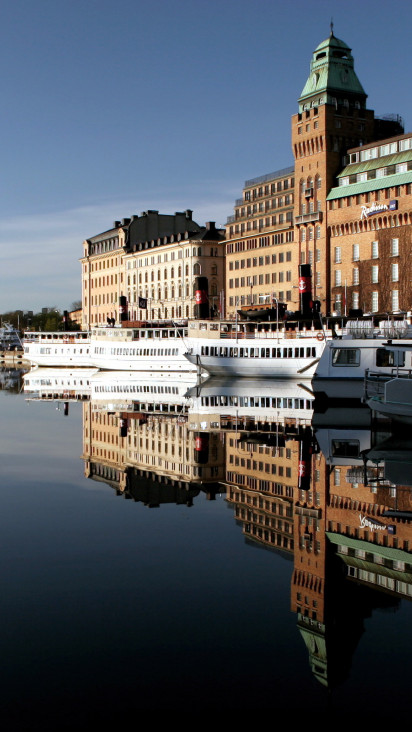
(320,483)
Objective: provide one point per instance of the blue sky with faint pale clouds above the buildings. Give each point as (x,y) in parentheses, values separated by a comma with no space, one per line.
(113,107)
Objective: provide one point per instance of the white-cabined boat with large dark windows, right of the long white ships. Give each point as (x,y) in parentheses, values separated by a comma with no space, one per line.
(362,347)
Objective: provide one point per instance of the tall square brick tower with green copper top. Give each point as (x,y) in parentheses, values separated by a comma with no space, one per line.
(332,117)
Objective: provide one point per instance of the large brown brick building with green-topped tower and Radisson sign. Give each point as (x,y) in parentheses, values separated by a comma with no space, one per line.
(331,127)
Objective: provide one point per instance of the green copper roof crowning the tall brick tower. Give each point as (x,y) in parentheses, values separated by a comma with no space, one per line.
(332,74)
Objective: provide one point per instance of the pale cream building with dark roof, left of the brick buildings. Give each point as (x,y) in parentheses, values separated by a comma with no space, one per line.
(152,266)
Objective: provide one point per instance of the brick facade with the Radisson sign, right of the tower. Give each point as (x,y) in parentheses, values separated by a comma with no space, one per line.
(370,218)
